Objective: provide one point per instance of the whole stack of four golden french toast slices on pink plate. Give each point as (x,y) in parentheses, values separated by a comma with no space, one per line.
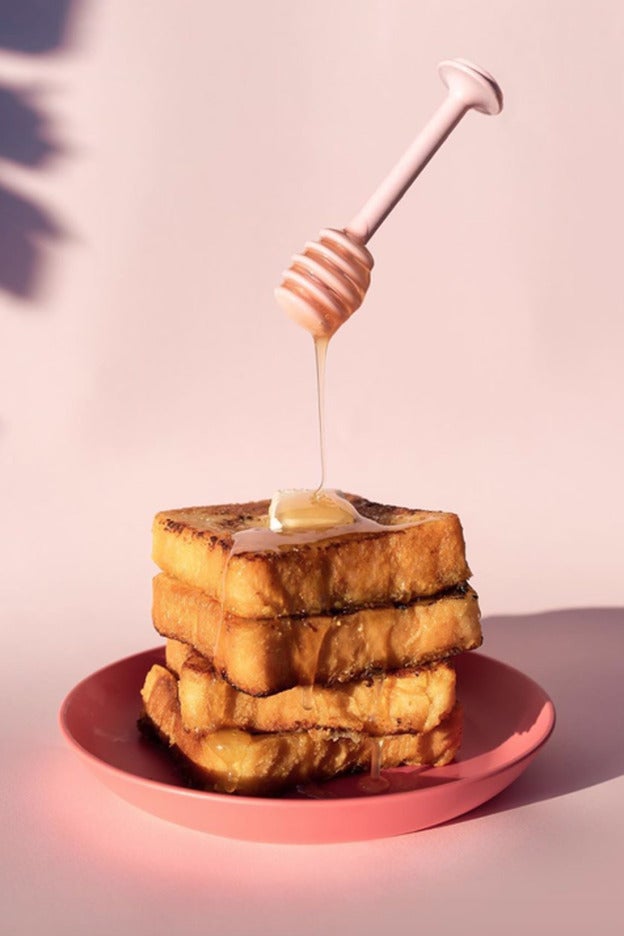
(295,659)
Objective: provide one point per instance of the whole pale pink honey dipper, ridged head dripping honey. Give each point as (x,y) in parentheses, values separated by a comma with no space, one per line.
(327,282)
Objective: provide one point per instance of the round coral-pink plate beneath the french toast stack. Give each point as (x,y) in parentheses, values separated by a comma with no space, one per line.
(508,717)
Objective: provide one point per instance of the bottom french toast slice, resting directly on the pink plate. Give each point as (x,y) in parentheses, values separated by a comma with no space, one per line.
(235,761)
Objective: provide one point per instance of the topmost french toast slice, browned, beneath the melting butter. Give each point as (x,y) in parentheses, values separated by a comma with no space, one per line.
(396,556)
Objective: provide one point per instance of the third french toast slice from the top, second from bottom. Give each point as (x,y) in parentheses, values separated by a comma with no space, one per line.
(403,701)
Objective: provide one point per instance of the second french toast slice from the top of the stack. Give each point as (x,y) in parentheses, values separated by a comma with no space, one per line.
(261,656)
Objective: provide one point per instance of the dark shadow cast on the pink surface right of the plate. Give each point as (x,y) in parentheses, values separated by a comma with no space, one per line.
(577,656)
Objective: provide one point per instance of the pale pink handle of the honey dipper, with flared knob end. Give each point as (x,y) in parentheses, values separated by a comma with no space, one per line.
(468,87)
